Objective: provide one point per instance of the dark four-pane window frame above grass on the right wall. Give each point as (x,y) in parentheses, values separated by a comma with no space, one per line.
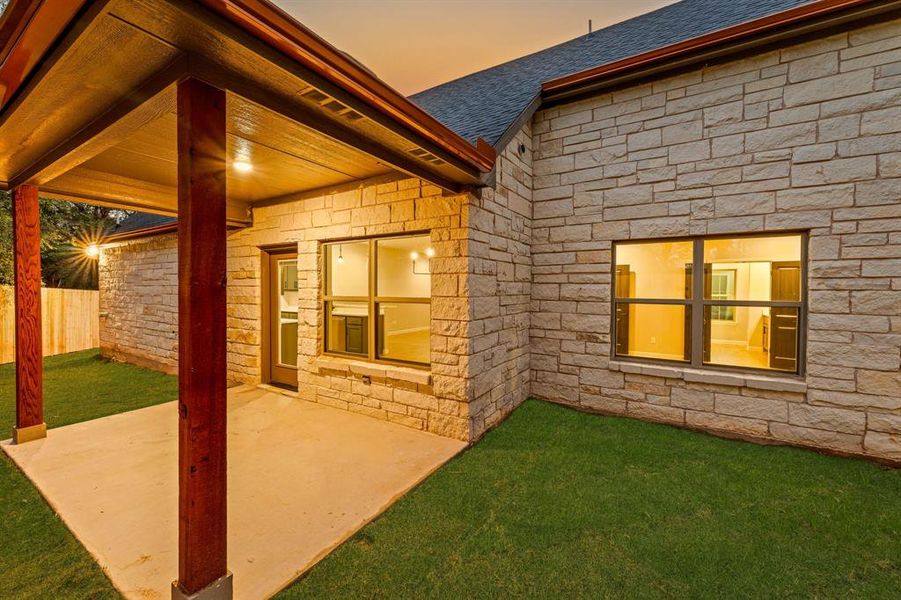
(697,303)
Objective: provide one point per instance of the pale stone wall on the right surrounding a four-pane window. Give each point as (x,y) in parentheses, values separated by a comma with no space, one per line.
(807,137)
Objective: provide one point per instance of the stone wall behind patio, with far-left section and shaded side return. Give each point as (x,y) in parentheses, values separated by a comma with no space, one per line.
(480,303)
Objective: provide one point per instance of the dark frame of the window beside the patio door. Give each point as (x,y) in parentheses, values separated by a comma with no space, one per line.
(371,300)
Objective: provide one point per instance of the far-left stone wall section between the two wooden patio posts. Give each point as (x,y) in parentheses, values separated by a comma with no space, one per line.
(139,302)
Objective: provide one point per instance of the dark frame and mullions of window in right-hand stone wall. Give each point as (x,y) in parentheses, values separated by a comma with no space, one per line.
(697,300)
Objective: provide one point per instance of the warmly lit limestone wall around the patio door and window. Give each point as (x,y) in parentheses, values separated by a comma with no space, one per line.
(435,402)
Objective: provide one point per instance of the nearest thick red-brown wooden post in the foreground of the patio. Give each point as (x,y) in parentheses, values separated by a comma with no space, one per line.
(202,571)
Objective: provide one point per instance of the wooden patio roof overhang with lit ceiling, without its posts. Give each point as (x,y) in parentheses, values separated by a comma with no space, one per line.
(88,105)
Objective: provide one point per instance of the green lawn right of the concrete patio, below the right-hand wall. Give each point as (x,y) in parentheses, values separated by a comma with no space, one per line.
(556,503)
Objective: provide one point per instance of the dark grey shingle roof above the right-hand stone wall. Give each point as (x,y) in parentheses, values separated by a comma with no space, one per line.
(486,103)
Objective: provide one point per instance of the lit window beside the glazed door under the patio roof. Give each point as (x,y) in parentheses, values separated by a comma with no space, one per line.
(377,298)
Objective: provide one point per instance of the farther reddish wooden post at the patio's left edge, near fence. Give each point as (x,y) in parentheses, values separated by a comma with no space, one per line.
(29,350)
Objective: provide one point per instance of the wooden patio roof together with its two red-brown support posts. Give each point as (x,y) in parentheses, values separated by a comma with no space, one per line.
(152,105)
